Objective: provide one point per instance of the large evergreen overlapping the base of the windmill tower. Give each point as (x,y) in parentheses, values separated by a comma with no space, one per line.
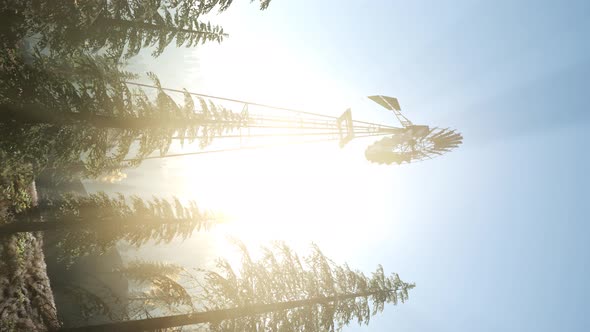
(61,112)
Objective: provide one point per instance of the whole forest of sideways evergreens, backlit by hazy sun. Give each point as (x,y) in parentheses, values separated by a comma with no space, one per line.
(70,111)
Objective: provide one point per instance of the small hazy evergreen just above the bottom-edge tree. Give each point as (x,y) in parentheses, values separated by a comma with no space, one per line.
(97,222)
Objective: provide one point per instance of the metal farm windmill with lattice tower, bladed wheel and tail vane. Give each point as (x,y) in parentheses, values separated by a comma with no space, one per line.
(406,144)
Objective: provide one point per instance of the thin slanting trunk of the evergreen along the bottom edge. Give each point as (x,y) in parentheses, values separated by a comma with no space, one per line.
(150,324)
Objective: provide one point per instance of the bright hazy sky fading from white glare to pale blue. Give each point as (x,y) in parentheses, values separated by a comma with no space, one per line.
(494,234)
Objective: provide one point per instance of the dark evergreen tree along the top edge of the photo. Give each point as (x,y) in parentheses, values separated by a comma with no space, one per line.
(119,27)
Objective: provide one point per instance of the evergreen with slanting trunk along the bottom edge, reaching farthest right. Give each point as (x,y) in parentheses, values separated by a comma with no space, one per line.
(281,292)
